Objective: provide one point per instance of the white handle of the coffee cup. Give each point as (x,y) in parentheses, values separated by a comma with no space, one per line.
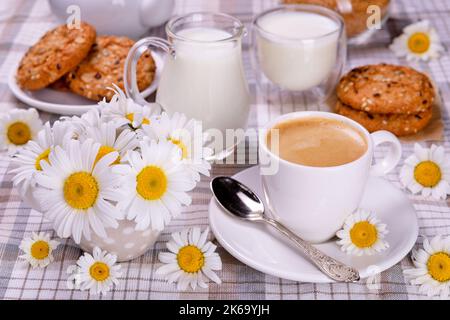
(393,156)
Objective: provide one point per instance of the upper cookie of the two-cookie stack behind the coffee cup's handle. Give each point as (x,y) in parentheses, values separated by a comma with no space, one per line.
(387,89)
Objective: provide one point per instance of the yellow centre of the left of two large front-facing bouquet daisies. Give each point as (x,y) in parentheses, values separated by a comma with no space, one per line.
(80,190)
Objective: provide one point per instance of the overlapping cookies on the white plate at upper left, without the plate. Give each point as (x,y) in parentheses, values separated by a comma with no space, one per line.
(76,60)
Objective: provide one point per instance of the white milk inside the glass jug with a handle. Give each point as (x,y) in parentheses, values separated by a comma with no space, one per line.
(205,80)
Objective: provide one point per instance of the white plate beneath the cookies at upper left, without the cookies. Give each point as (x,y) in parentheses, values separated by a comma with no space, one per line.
(68,103)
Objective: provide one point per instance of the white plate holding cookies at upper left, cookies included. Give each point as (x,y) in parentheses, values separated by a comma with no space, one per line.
(69,69)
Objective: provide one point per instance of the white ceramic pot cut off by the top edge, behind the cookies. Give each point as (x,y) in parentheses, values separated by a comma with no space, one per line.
(131,18)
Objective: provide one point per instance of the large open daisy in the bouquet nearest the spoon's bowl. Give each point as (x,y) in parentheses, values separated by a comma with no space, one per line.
(155,185)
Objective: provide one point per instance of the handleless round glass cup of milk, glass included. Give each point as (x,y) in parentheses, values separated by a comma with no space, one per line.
(299,48)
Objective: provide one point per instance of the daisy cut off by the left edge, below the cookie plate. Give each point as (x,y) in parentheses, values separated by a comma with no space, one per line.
(17,127)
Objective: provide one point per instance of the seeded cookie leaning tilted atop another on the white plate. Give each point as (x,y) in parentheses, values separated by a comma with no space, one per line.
(56,53)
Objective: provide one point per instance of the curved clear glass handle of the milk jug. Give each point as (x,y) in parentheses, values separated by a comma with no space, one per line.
(130,81)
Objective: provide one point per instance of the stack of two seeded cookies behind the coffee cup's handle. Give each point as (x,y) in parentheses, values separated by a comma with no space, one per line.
(386,97)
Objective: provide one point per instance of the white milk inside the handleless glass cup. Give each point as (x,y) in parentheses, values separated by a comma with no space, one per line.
(298,50)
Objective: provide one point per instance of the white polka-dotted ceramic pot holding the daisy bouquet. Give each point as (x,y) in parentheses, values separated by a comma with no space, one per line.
(125,242)
